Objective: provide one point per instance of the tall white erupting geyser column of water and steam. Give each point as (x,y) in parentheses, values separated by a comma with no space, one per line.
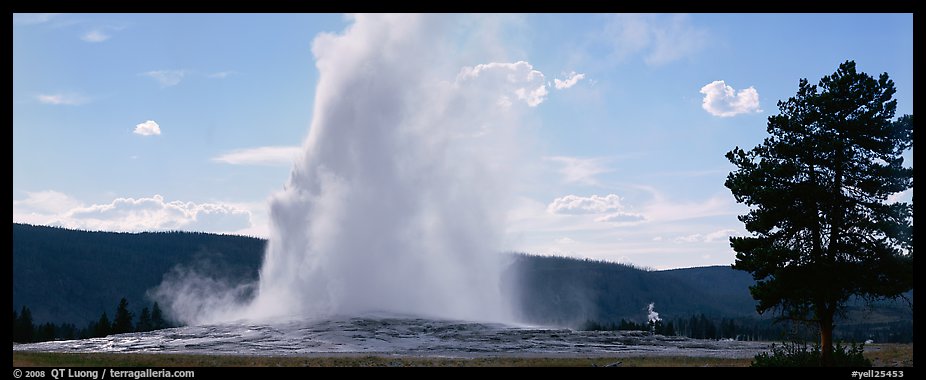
(397,202)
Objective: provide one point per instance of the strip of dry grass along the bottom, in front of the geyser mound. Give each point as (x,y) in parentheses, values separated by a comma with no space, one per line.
(879,354)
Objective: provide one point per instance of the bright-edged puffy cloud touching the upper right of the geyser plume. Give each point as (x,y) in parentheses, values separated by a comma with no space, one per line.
(517,78)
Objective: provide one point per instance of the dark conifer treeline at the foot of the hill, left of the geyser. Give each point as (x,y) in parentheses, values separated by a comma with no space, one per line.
(26,330)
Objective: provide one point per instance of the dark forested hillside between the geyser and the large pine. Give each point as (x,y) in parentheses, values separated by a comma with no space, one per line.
(569,291)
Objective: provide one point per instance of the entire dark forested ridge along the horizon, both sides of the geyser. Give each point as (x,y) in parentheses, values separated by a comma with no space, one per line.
(68,276)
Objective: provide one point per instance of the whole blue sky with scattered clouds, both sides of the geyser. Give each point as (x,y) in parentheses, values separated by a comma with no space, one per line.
(133,122)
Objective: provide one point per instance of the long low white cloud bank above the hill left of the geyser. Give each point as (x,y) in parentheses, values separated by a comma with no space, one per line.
(130,214)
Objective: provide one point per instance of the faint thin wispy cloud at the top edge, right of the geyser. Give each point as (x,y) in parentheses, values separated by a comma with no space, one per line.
(660,39)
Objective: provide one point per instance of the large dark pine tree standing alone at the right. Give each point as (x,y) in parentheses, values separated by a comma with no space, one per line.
(823,228)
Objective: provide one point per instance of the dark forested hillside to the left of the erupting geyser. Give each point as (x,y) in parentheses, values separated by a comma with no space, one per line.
(69,276)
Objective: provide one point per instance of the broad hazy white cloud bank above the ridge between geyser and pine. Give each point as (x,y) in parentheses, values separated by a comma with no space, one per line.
(532,228)
